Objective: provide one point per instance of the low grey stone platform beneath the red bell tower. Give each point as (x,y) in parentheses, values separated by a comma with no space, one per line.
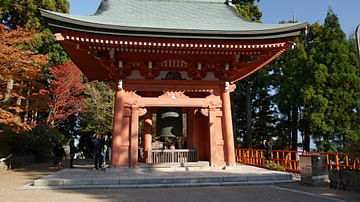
(85,177)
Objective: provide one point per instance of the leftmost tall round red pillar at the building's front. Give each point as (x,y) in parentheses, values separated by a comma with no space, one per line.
(117,129)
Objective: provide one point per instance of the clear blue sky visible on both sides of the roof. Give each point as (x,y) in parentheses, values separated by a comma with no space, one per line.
(274,11)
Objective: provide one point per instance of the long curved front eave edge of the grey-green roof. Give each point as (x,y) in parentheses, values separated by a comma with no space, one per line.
(59,21)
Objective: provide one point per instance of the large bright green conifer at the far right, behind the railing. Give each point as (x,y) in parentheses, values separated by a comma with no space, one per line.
(334,93)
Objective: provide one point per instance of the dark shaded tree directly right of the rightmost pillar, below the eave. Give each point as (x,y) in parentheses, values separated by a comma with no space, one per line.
(253,111)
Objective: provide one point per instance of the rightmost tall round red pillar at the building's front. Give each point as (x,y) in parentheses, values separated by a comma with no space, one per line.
(228,128)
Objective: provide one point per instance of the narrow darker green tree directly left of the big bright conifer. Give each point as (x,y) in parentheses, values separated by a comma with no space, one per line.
(289,77)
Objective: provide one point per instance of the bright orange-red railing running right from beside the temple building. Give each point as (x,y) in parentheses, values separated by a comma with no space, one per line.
(289,160)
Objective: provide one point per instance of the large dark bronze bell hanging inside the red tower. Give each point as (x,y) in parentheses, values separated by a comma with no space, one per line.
(169,122)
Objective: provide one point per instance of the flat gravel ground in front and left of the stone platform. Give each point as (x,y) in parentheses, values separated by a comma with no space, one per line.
(11,181)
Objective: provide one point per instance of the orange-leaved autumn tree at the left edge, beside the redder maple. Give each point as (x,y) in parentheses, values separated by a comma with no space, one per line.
(20,70)
